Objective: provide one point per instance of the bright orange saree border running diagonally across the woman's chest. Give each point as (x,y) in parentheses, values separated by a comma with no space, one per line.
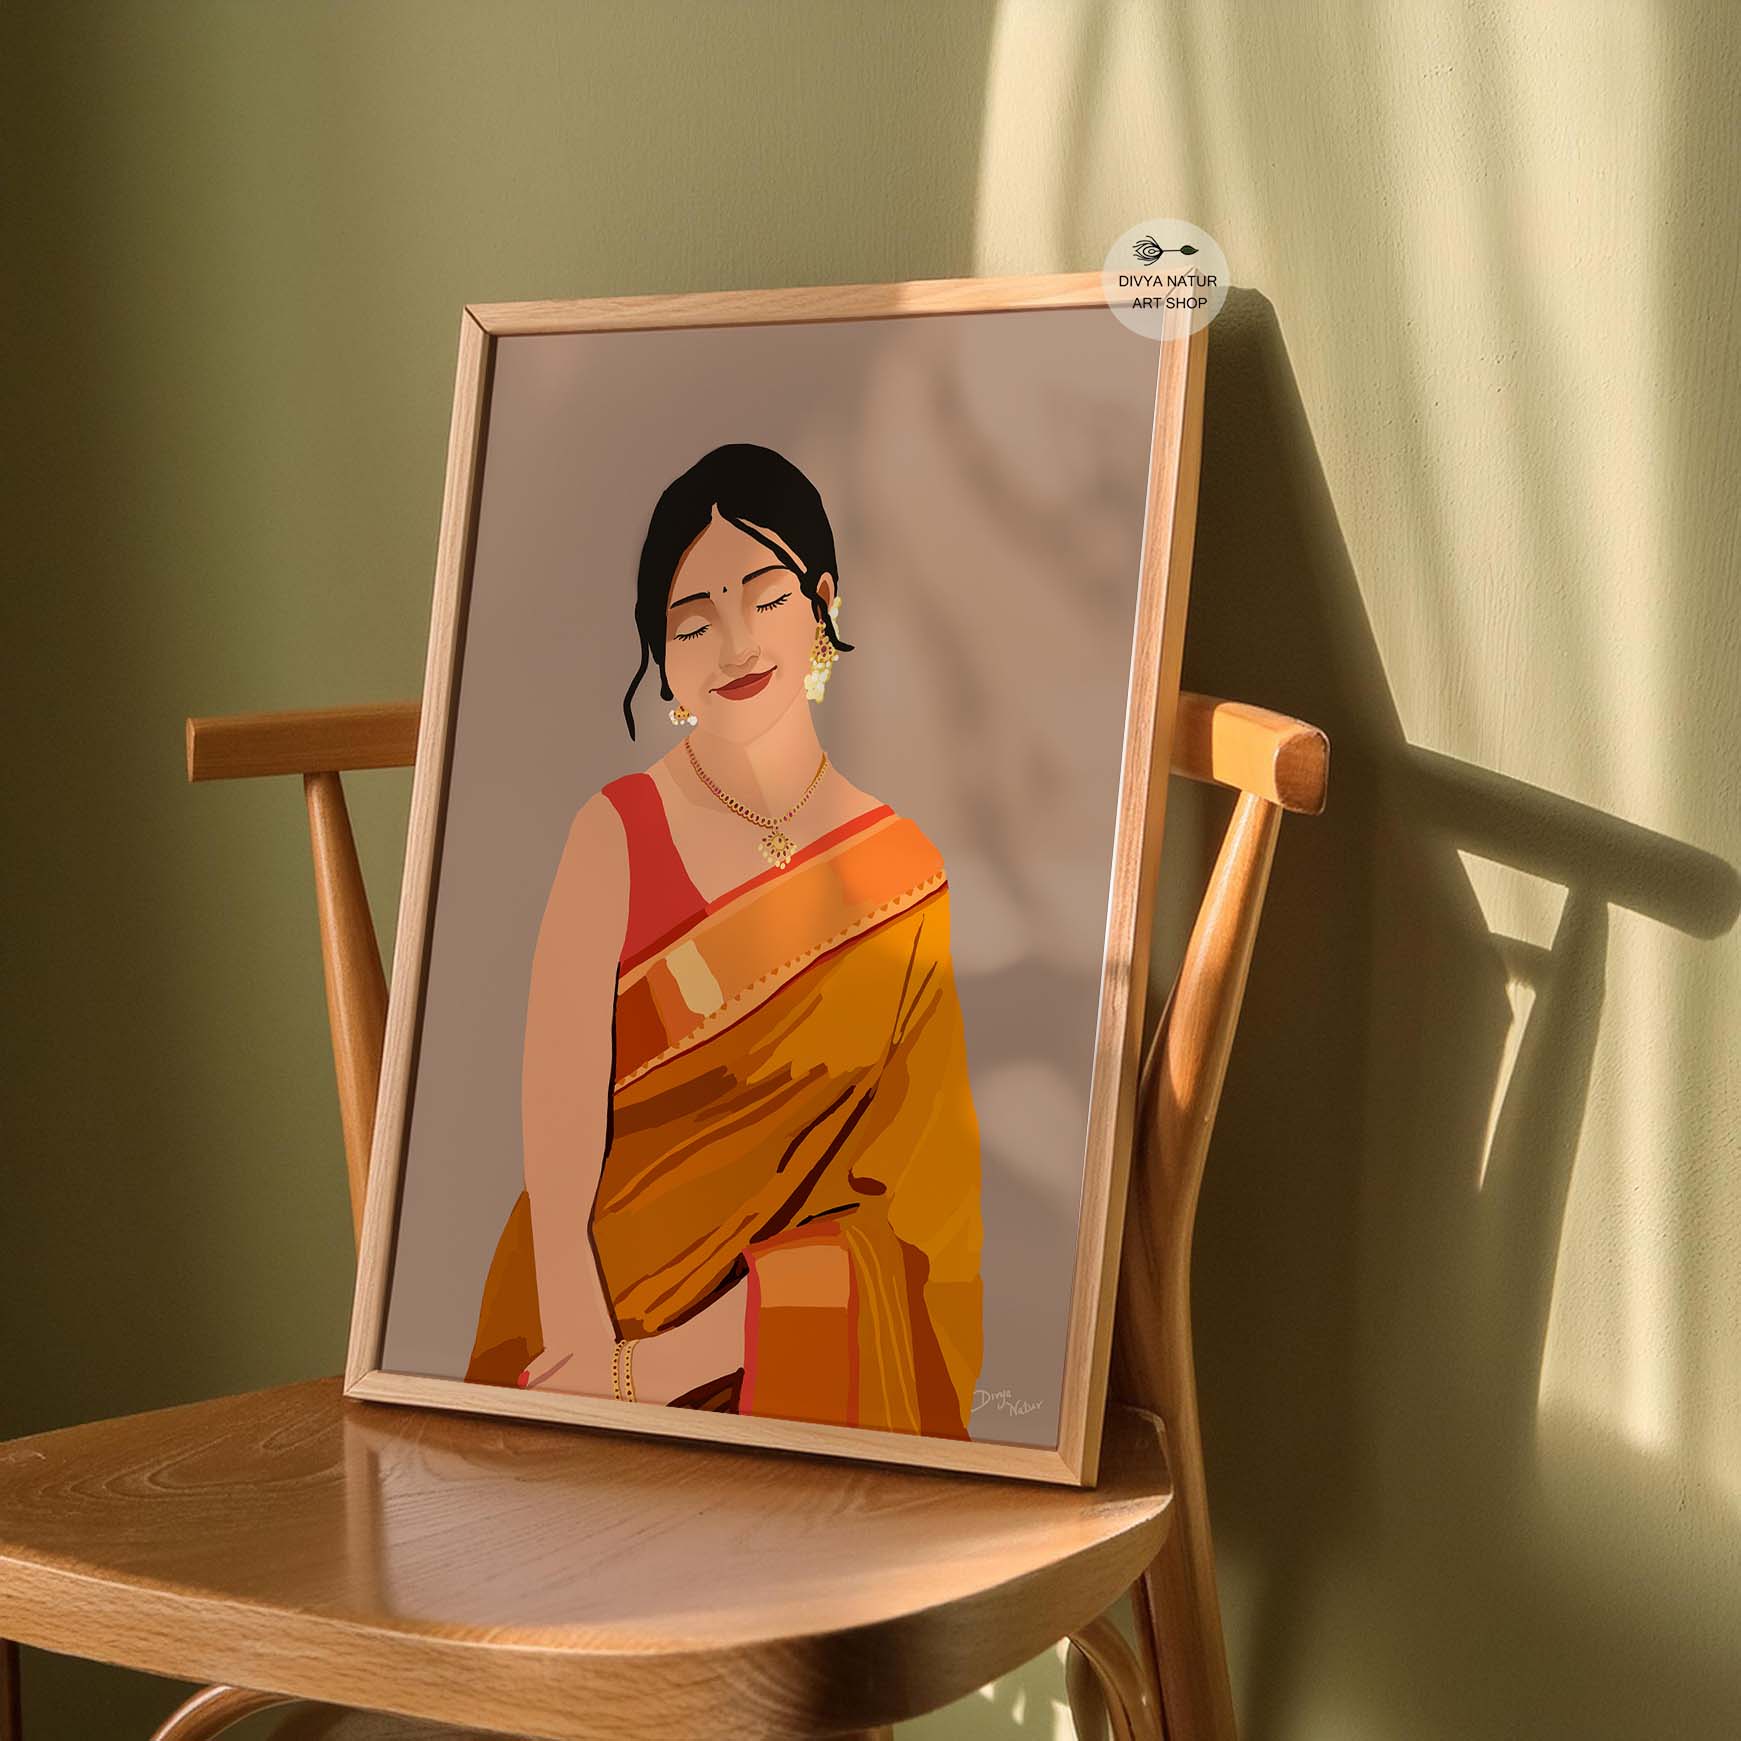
(718,972)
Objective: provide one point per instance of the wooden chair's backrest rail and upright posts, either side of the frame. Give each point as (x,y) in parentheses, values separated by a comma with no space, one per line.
(1274,763)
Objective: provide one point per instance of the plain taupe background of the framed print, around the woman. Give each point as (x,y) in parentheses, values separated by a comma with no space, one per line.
(985,476)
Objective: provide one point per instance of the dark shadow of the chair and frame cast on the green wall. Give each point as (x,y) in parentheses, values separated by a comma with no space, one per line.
(1381,1225)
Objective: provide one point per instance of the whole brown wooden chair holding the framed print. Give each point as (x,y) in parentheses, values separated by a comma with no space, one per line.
(542,1580)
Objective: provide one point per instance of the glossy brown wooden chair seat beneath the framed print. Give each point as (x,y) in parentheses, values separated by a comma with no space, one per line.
(546,1580)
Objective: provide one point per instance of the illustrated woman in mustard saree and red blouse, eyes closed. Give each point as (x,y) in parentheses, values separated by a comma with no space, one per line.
(753,1174)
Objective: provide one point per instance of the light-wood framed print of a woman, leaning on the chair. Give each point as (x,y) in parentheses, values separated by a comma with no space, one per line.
(770,965)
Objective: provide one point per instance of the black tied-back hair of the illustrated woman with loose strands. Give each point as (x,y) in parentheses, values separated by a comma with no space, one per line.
(753,488)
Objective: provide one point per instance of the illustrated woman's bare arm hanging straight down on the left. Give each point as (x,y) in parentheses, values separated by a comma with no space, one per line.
(565,1096)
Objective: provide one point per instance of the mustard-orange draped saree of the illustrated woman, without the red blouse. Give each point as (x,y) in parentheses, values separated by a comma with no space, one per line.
(791,1101)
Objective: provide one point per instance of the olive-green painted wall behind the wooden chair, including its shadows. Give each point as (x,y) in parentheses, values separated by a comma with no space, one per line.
(1470,1254)
